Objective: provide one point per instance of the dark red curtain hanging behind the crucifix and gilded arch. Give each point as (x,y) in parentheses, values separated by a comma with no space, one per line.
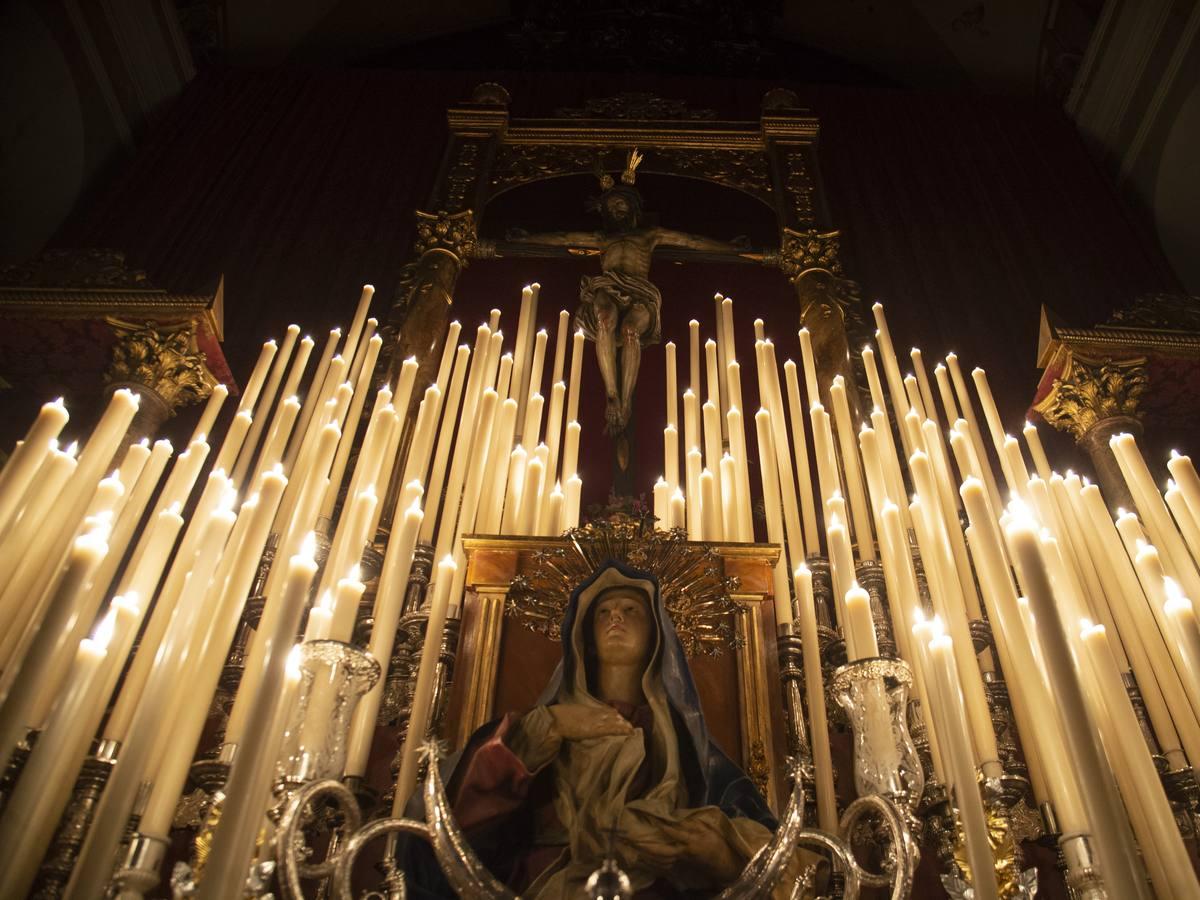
(964,214)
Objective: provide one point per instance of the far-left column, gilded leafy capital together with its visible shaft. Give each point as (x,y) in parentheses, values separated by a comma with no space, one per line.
(163,364)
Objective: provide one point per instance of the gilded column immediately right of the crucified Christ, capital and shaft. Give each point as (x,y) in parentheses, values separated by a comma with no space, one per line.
(829,304)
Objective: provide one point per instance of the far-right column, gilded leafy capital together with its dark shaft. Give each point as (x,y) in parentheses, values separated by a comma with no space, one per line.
(1094,400)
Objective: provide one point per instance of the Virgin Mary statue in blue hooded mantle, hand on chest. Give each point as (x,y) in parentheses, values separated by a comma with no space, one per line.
(614,763)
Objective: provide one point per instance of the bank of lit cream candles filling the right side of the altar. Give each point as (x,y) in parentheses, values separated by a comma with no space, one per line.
(1077,543)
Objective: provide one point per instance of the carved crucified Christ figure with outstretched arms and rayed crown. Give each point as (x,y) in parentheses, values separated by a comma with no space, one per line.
(621,309)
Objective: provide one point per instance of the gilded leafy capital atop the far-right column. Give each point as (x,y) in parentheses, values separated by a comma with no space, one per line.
(1091,391)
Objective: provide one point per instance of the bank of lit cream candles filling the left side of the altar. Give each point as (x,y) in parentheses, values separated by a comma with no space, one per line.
(279,471)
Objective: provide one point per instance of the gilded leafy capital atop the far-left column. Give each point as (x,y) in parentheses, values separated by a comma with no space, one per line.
(166,361)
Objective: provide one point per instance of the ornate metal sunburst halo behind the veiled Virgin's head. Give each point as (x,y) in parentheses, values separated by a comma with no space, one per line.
(691,577)
